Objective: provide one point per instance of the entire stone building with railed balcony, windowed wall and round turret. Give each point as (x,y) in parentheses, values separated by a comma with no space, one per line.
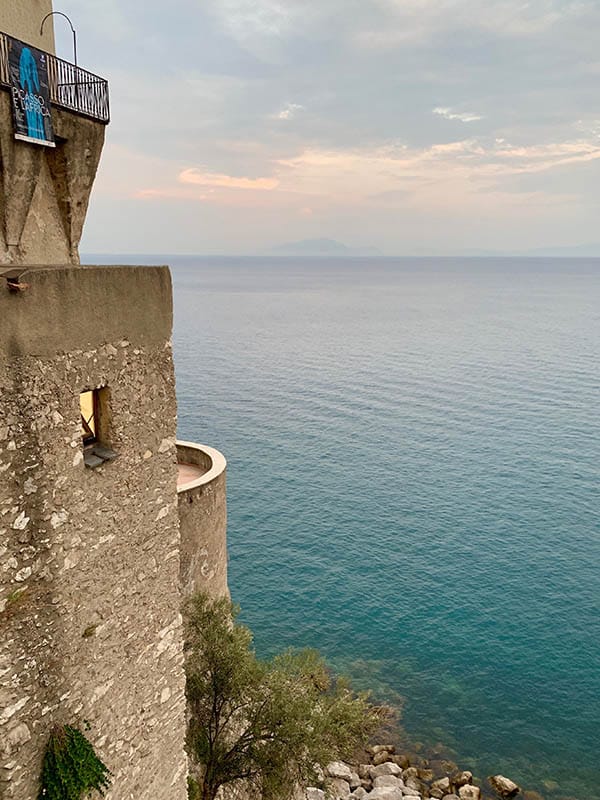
(105,520)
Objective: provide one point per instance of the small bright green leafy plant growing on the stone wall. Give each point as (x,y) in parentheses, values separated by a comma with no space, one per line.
(71,769)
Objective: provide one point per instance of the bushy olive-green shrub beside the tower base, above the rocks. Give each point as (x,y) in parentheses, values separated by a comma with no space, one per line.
(266,723)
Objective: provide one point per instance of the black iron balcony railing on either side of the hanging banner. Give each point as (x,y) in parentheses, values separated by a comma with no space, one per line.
(70,87)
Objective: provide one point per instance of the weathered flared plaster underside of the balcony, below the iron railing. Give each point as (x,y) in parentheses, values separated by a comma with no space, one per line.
(44,192)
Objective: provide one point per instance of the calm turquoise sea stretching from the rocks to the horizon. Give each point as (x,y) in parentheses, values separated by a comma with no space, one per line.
(414,463)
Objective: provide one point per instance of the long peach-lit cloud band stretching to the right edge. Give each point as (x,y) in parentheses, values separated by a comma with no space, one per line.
(448,173)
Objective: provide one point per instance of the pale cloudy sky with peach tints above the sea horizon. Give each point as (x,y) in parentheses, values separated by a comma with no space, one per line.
(412,126)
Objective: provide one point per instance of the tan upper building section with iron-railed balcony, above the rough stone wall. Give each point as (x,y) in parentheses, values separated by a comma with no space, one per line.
(45,190)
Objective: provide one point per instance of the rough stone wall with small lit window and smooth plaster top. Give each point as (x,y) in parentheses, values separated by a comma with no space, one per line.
(89,559)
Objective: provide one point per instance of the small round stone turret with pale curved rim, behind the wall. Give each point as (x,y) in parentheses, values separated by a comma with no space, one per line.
(202,501)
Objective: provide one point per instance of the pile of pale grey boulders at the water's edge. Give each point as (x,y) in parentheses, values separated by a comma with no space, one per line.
(384,775)
